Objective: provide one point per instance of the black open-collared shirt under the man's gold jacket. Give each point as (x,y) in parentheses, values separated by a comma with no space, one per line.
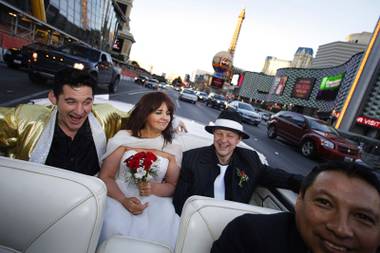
(77,155)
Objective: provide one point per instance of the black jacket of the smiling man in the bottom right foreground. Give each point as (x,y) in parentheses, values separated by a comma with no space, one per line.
(261,233)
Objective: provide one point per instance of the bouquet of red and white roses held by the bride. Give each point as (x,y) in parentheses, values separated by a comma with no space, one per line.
(142,166)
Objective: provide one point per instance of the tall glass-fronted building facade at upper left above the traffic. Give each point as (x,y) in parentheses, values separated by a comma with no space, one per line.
(98,23)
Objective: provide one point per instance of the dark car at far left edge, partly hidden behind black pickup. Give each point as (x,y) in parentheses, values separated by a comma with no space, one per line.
(21,57)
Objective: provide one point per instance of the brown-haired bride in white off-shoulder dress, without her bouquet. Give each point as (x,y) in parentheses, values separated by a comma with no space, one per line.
(143,210)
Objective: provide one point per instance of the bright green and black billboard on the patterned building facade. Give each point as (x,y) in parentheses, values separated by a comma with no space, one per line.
(328,90)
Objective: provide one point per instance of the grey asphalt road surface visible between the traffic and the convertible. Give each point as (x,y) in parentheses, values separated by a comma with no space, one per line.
(16,88)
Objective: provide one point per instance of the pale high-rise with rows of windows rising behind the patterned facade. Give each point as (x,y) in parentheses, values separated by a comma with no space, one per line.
(338,52)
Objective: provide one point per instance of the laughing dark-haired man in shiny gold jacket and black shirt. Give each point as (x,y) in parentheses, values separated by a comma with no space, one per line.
(71,134)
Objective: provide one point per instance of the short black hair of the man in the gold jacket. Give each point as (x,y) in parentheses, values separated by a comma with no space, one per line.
(73,78)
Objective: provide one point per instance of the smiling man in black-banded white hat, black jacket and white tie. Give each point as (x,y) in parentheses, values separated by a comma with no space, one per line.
(225,171)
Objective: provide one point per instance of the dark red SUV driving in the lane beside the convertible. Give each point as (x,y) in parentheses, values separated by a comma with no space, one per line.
(314,137)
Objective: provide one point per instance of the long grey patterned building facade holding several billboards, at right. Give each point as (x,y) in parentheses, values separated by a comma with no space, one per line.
(301,88)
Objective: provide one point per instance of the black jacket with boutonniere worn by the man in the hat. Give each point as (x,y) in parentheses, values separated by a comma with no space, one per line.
(200,168)
